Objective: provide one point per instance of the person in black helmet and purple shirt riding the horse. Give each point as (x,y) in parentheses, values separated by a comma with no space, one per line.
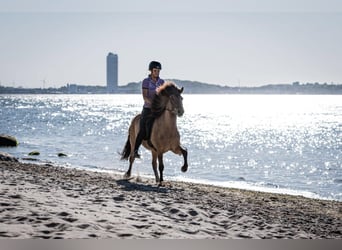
(149,86)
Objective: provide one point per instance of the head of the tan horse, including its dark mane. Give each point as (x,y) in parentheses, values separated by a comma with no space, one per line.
(169,98)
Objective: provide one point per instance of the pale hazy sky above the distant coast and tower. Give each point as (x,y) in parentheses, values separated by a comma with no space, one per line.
(232,43)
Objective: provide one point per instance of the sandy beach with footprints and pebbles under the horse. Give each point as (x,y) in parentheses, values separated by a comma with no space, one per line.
(45,201)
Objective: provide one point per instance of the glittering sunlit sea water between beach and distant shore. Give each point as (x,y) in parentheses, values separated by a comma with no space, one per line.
(277,143)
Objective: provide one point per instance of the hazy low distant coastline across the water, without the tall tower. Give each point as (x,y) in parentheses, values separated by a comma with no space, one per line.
(191,87)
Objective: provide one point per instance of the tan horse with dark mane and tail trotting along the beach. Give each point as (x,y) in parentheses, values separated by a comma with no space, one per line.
(166,106)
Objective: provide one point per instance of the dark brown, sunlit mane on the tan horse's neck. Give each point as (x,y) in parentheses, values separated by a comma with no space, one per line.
(162,95)
